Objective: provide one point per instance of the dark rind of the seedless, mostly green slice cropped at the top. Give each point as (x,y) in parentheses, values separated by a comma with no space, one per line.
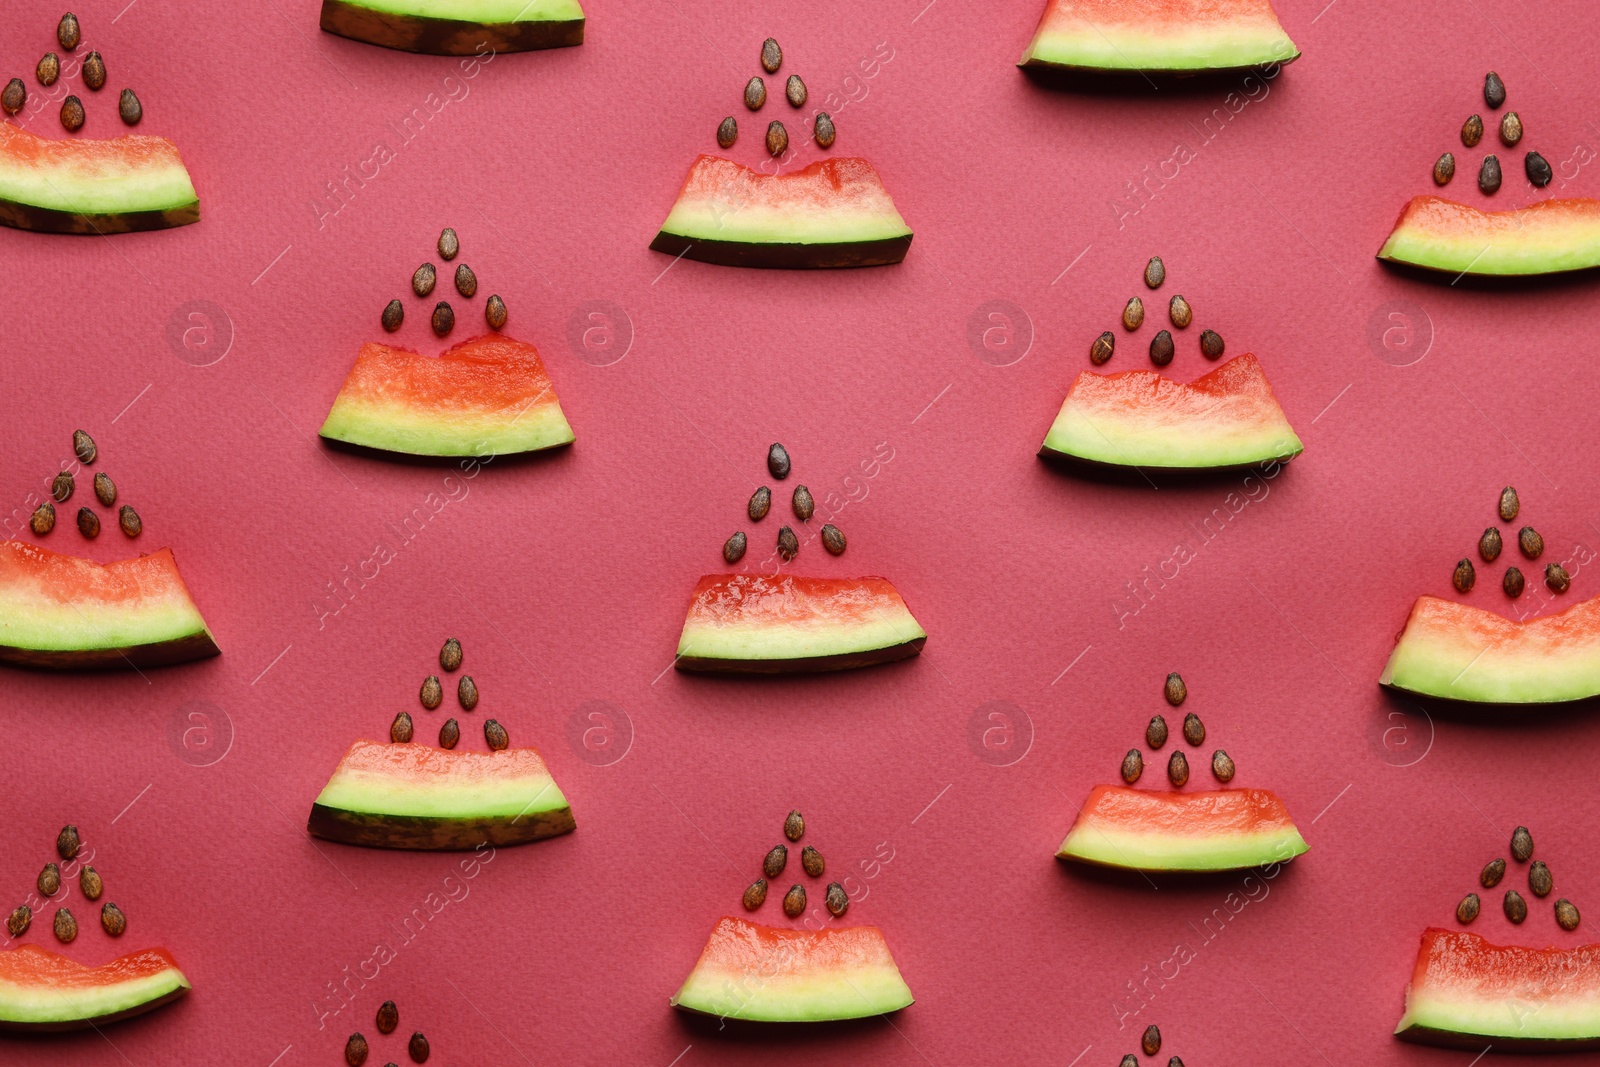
(447,38)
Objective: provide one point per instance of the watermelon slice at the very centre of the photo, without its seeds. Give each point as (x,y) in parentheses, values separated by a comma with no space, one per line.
(772,625)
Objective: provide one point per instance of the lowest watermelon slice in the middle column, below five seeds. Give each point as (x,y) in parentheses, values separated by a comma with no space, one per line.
(772,975)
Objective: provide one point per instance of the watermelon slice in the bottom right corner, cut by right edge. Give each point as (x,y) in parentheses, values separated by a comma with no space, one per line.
(1471,994)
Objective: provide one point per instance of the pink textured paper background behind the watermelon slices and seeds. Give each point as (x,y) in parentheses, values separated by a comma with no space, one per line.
(567,577)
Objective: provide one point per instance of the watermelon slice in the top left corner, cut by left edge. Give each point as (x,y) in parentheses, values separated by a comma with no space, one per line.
(84,186)
